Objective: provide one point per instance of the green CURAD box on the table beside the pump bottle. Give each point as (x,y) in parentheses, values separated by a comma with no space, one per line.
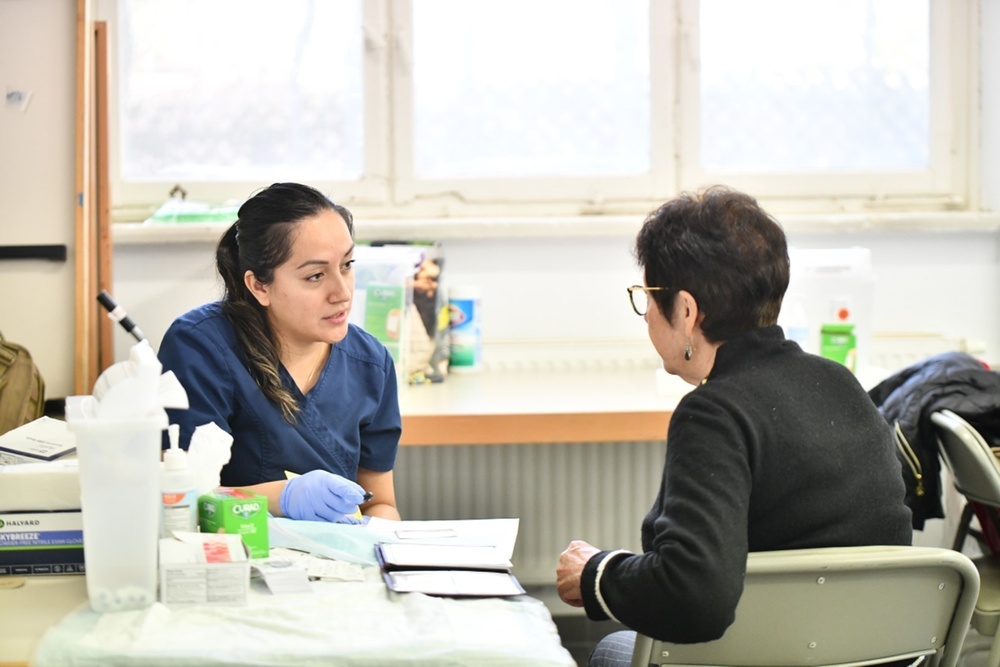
(238,512)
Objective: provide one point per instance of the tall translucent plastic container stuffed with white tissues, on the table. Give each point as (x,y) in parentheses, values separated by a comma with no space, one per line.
(119,433)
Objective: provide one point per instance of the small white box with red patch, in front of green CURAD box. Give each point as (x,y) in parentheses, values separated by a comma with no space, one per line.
(201,568)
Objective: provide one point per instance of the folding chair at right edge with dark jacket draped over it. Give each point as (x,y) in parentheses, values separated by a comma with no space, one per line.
(976,473)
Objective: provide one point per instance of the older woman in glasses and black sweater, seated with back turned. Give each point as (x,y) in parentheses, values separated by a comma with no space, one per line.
(773,449)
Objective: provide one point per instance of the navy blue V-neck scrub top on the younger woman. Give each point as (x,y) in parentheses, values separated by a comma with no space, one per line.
(349,419)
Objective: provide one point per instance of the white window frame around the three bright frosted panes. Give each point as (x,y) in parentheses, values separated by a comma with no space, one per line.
(390,190)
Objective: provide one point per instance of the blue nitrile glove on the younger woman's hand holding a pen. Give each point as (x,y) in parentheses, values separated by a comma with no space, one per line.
(321,496)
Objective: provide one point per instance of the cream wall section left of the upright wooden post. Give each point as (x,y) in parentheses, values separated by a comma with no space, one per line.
(38,55)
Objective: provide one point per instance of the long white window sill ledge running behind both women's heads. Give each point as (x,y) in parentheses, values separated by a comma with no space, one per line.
(568,227)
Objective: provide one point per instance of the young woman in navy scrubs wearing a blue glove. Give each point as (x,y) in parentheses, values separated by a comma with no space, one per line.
(310,400)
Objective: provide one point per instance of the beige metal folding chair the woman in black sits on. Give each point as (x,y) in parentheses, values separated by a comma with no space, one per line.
(839,606)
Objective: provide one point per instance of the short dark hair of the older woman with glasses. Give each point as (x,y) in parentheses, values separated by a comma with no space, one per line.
(723,248)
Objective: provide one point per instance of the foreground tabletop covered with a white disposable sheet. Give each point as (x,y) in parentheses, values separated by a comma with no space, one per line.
(48,622)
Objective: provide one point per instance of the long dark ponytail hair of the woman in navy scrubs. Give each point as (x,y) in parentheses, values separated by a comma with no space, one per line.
(259,241)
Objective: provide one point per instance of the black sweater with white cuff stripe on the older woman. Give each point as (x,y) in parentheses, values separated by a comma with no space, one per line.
(779,449)
